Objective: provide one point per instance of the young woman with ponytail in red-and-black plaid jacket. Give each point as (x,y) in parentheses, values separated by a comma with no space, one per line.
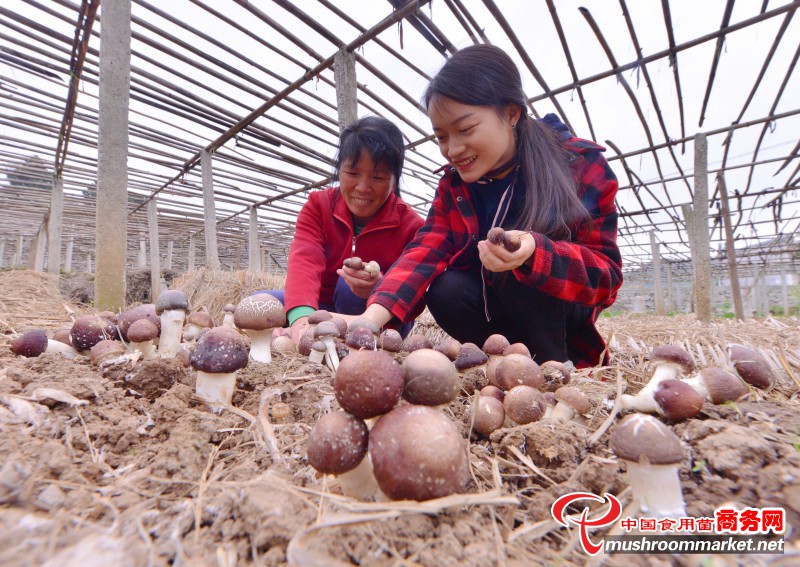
(553,191)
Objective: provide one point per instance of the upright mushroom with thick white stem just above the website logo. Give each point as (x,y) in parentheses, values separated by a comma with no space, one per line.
(652,453)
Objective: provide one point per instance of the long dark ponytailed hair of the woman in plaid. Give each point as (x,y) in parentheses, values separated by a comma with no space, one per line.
(484,75)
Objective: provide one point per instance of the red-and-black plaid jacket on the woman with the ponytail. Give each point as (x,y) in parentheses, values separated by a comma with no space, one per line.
(588,272)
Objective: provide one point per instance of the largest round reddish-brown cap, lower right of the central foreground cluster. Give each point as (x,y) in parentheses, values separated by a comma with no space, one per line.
(418,454)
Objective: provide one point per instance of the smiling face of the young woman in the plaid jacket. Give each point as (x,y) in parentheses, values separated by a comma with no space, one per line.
(474,139)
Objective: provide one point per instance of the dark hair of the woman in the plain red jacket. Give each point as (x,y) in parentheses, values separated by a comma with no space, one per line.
(380,138)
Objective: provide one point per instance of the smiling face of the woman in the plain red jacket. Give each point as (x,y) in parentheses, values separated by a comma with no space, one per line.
(365,187)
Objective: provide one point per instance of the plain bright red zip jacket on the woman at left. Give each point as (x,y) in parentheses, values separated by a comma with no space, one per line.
(324,239)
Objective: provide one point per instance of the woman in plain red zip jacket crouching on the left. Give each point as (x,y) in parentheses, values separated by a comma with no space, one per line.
(364,216)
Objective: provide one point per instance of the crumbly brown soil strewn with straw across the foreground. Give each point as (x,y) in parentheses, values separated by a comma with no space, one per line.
(123,465)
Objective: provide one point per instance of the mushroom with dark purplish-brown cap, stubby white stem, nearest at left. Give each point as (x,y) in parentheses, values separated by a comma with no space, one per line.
(218,355)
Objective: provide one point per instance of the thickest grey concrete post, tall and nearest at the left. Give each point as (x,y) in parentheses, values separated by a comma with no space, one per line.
(112,158)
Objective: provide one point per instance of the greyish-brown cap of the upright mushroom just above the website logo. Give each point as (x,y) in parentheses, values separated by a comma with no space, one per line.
(641,438)
